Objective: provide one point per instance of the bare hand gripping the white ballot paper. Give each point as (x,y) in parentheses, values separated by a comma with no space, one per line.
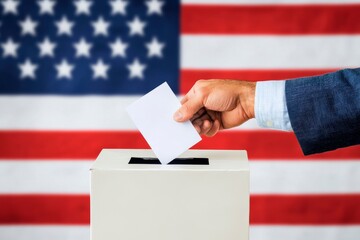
(213,105)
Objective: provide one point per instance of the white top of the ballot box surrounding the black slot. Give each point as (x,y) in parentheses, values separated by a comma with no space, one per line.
(224,160)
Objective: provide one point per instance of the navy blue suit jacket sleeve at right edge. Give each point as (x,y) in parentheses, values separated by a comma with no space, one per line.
(324,110)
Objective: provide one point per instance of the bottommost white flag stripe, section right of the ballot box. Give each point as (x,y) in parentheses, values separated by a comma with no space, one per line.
(304,232)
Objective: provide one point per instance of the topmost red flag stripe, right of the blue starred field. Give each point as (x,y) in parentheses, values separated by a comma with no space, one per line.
(270,19)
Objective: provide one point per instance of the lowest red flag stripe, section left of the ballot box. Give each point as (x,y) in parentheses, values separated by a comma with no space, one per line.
(44,209)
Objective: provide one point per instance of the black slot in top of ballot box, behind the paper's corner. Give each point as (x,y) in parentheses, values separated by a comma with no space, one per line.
(176,161)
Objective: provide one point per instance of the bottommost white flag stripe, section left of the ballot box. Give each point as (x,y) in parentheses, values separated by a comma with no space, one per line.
(29,232)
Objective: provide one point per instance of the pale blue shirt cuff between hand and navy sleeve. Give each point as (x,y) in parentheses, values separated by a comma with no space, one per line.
(270,105)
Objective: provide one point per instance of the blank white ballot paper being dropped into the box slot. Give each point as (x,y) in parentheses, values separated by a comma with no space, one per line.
(153,116)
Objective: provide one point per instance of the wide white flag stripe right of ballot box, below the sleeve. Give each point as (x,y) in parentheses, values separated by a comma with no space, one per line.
(305,176)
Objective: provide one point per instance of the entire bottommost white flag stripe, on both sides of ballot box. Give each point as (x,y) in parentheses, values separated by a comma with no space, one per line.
(35,232)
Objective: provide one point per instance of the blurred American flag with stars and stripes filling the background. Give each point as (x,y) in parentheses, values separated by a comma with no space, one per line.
(69,68)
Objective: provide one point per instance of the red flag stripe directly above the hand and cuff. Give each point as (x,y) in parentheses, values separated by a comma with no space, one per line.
(190,76)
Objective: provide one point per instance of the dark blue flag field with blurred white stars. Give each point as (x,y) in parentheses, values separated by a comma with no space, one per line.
(88,47)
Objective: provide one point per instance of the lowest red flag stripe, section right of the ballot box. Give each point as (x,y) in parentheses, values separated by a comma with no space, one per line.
(305,209)
